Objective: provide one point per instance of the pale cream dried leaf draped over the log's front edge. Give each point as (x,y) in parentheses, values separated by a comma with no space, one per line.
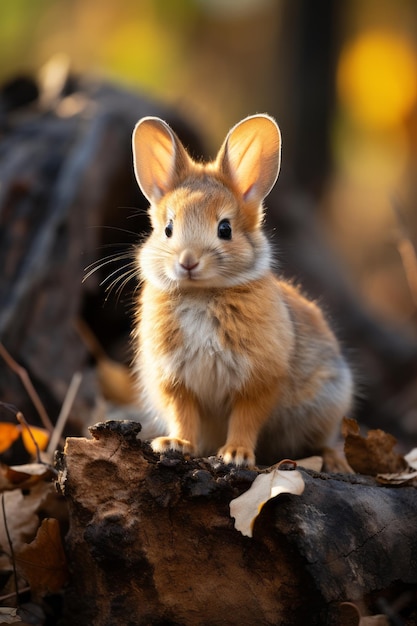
(246,508)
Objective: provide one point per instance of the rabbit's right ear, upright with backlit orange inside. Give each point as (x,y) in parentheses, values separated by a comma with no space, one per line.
(251,155)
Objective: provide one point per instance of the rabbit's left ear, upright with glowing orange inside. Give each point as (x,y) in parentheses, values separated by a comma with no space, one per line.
(159,158)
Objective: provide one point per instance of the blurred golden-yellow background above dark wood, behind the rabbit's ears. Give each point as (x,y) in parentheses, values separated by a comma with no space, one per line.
(339,76)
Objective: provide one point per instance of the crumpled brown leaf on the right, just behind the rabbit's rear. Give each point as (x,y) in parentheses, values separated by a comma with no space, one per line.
(373,454)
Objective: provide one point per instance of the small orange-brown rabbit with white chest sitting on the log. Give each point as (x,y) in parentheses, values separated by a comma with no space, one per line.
(230,360)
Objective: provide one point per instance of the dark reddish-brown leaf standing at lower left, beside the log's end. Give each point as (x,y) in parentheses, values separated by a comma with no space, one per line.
(42,562)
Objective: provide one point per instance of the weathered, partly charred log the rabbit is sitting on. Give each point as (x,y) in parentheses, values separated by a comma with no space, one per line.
(152,542)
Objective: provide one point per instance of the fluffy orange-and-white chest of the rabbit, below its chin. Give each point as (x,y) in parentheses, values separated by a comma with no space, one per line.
(214,344)
